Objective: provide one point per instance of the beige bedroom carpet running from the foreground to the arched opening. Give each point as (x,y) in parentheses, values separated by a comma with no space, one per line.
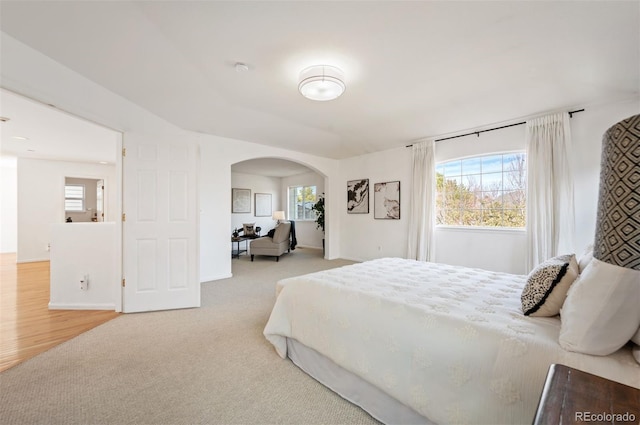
(210,365)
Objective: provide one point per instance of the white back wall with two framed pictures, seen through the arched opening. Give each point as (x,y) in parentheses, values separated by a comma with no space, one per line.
(257,184)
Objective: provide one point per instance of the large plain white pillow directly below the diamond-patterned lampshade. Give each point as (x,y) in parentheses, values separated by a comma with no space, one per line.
(601,312)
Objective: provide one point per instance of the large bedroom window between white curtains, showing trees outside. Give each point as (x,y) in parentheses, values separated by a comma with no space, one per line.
(487,191)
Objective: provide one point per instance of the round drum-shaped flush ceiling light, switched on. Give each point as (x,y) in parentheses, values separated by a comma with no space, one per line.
(321,82)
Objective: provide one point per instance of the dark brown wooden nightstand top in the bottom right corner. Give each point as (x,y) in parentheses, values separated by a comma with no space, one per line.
(572,396)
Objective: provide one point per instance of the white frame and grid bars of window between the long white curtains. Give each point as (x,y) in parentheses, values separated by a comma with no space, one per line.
(440,166)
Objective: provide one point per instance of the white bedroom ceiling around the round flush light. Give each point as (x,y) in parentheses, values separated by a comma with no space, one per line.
(412,69)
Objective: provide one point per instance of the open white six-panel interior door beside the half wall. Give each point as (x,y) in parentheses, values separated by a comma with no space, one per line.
(160,228)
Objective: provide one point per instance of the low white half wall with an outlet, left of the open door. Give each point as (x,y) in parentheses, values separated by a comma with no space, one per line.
(84,250)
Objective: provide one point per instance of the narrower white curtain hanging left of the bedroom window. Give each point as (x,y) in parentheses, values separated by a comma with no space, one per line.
(421,213)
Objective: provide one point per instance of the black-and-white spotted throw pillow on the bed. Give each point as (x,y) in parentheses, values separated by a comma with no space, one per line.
(547,286)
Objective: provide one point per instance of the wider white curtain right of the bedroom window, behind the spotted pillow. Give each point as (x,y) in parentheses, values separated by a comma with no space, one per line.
(550,204)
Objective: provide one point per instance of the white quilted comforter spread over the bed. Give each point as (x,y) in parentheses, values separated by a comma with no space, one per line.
(448,341)
